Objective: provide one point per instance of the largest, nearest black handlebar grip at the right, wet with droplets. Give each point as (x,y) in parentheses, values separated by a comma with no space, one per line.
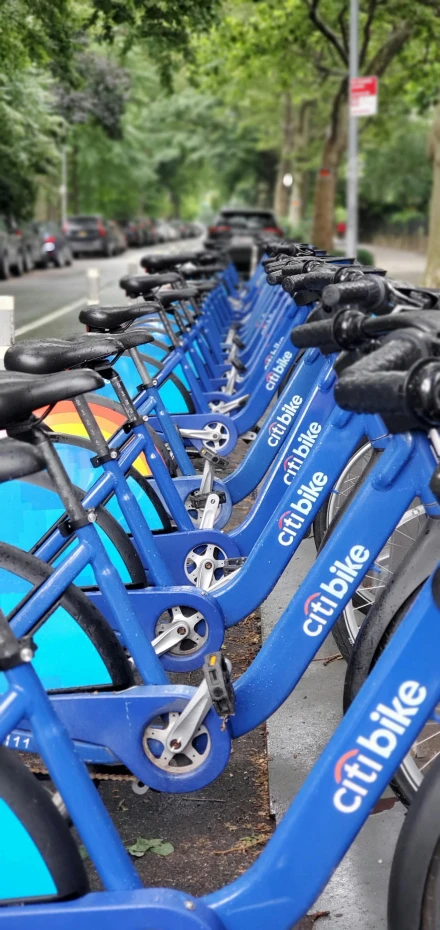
(375,383)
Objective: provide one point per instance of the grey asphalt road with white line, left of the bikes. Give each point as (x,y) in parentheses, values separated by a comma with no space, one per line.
(47,303)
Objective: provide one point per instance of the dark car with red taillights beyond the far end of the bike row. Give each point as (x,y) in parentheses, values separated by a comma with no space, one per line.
(238,229)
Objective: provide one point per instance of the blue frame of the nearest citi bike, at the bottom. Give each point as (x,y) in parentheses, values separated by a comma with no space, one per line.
(320,825)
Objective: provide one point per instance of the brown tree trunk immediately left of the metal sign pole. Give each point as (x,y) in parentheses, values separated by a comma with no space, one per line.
(326,183)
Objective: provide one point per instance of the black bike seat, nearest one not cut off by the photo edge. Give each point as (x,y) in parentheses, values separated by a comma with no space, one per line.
(45,356)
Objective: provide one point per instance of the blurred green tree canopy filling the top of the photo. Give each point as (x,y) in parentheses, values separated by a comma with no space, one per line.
(176,106)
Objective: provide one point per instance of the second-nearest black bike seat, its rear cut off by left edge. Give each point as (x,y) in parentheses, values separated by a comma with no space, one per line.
(20,394)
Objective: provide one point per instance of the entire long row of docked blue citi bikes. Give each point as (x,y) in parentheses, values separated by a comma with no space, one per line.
(118,573)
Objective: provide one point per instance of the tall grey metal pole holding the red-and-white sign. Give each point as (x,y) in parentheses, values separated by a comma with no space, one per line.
(352,155)
